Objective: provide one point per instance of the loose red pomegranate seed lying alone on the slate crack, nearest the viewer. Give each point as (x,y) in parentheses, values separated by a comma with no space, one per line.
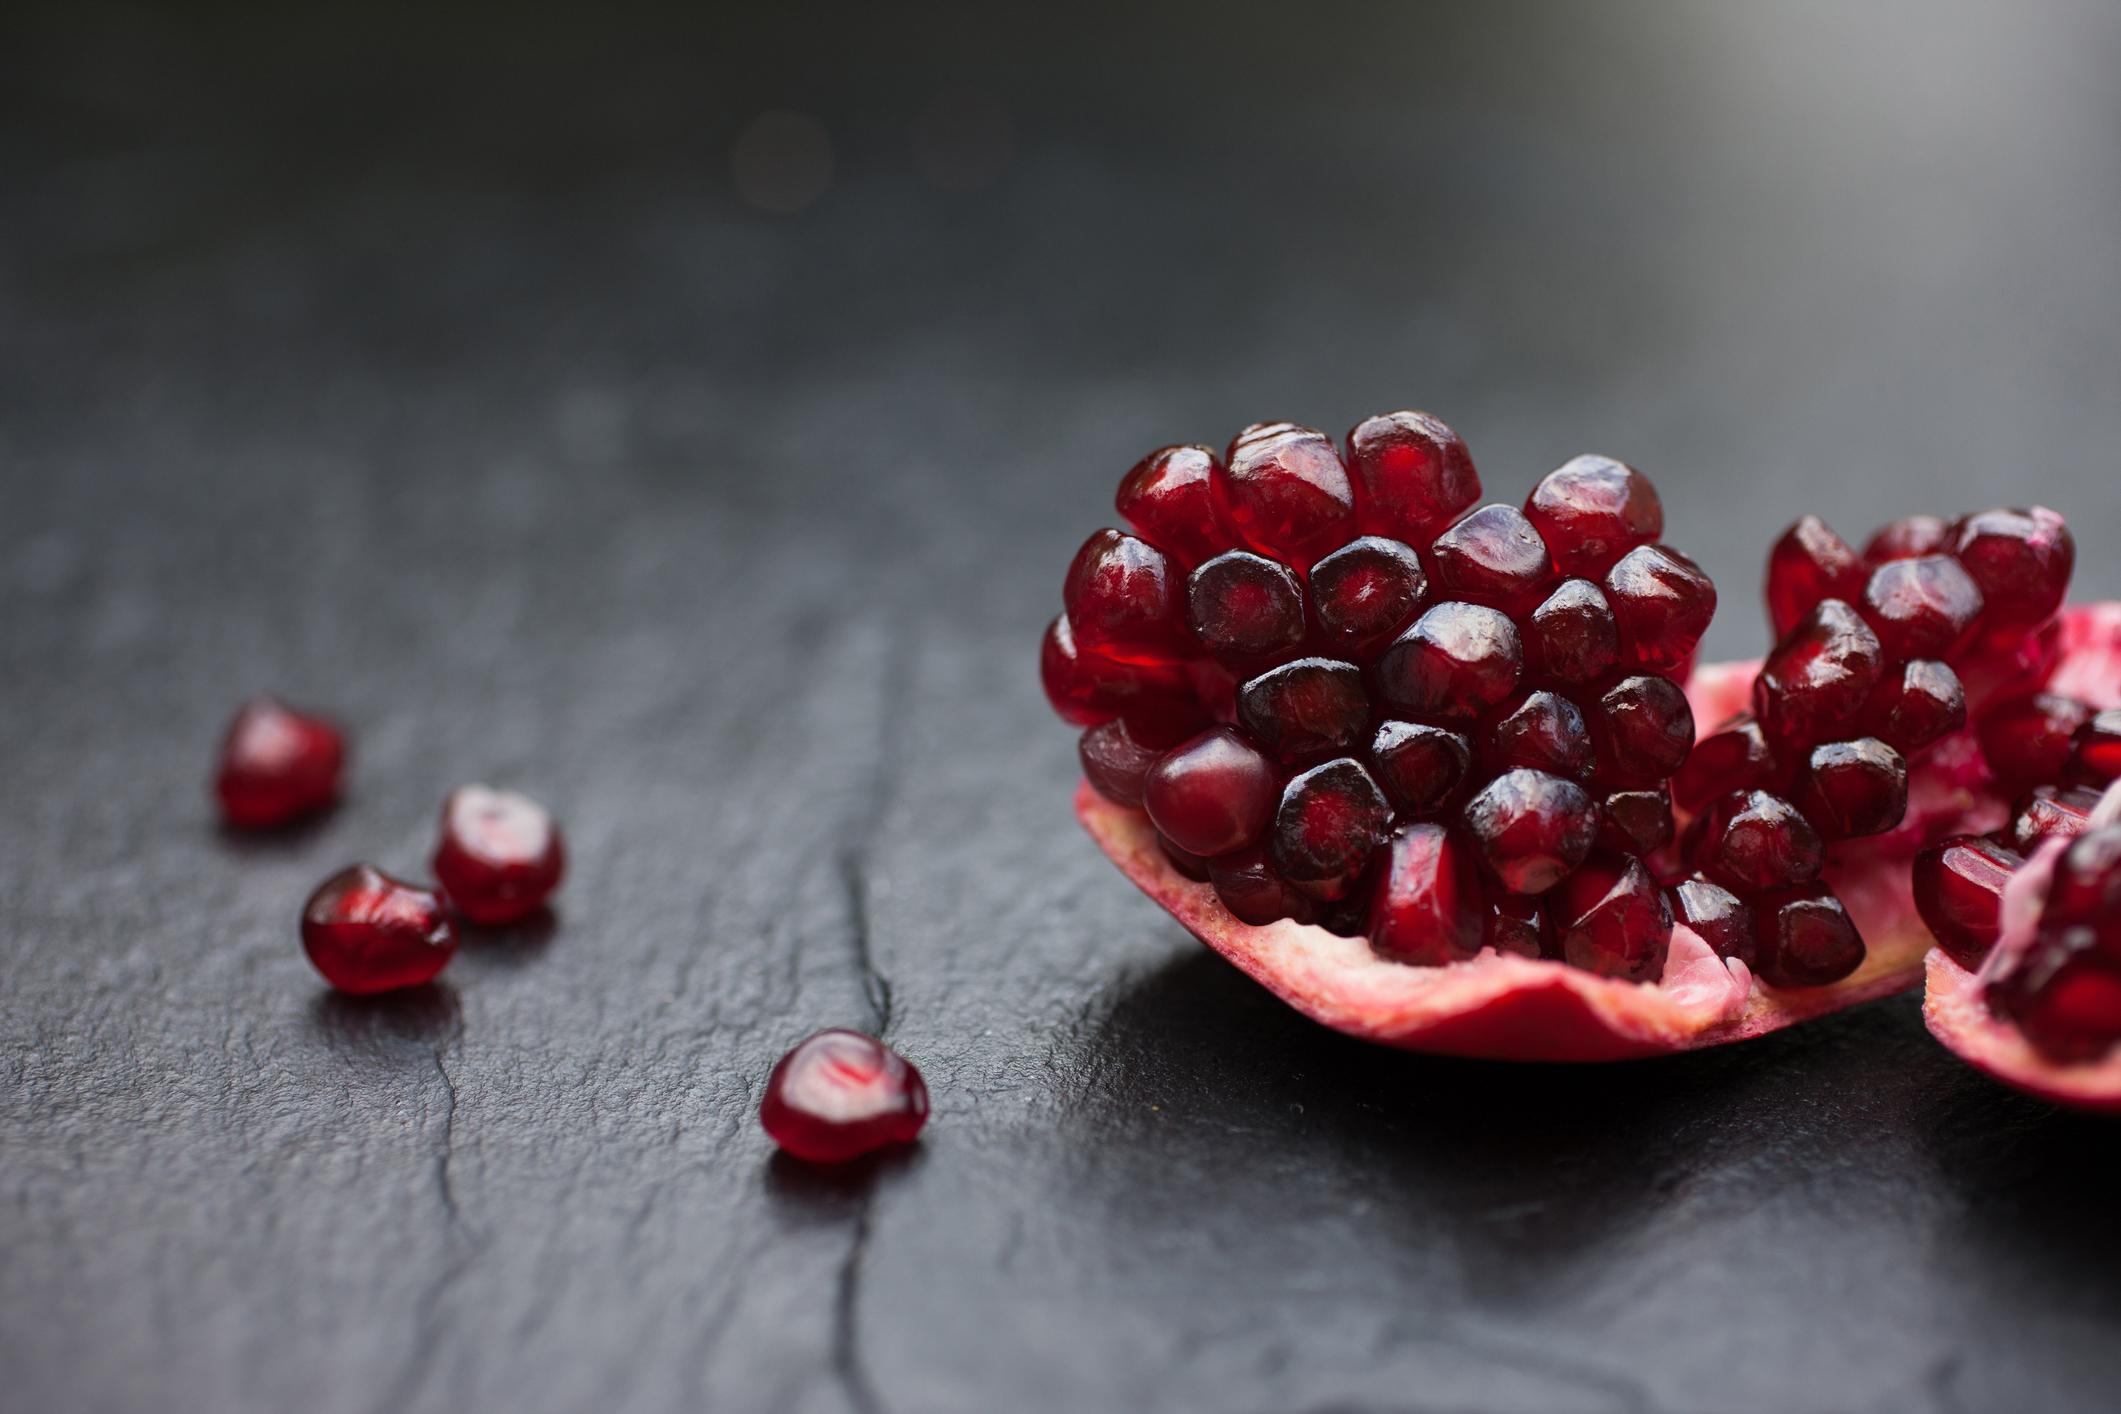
(843,1095)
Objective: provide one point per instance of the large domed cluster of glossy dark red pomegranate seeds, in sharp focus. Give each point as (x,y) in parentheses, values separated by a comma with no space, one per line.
(1350,694)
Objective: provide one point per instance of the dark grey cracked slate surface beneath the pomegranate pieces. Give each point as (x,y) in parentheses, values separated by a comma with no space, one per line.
(427,366)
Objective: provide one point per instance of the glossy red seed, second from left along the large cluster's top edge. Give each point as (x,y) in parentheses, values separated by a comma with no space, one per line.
(1286,493)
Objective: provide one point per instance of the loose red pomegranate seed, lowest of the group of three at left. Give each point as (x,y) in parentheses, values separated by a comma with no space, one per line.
(368,932)
